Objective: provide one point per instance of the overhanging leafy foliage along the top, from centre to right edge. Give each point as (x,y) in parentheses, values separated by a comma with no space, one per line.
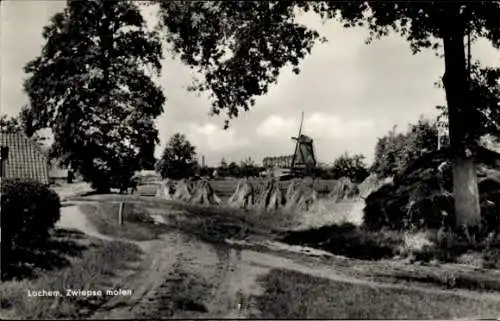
(240,47)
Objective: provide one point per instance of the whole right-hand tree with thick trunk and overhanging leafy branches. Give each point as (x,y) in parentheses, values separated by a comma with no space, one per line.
(240,48)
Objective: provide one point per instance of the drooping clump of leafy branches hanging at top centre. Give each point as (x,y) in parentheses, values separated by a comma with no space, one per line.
(238,46)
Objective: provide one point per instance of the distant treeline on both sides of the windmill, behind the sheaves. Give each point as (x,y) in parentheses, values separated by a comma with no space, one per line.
(393,153)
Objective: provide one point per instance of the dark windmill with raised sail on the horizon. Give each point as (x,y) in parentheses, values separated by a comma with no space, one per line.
(304,158)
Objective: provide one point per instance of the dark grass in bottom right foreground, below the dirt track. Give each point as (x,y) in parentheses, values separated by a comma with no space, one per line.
(293,295)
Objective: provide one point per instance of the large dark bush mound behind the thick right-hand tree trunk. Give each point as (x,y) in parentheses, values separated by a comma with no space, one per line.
(421,198)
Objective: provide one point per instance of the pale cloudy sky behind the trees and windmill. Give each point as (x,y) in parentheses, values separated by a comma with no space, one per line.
(351,93)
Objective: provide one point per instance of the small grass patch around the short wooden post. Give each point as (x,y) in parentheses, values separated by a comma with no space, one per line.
(137,224)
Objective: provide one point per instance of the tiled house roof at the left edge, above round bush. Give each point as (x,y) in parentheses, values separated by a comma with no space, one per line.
(25,159)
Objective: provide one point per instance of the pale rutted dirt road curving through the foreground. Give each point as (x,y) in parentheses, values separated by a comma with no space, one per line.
(183,277)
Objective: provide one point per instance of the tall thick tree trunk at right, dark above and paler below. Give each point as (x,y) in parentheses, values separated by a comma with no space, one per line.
(465,186)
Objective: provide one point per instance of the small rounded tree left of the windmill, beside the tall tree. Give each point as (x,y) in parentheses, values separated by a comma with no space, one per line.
(178,159)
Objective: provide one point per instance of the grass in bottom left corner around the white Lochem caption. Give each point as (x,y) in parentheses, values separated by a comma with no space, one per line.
(95,270)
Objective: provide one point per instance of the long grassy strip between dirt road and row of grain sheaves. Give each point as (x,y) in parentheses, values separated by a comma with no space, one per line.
(210,223)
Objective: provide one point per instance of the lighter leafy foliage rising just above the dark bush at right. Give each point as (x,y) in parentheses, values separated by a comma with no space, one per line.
(395,151)
